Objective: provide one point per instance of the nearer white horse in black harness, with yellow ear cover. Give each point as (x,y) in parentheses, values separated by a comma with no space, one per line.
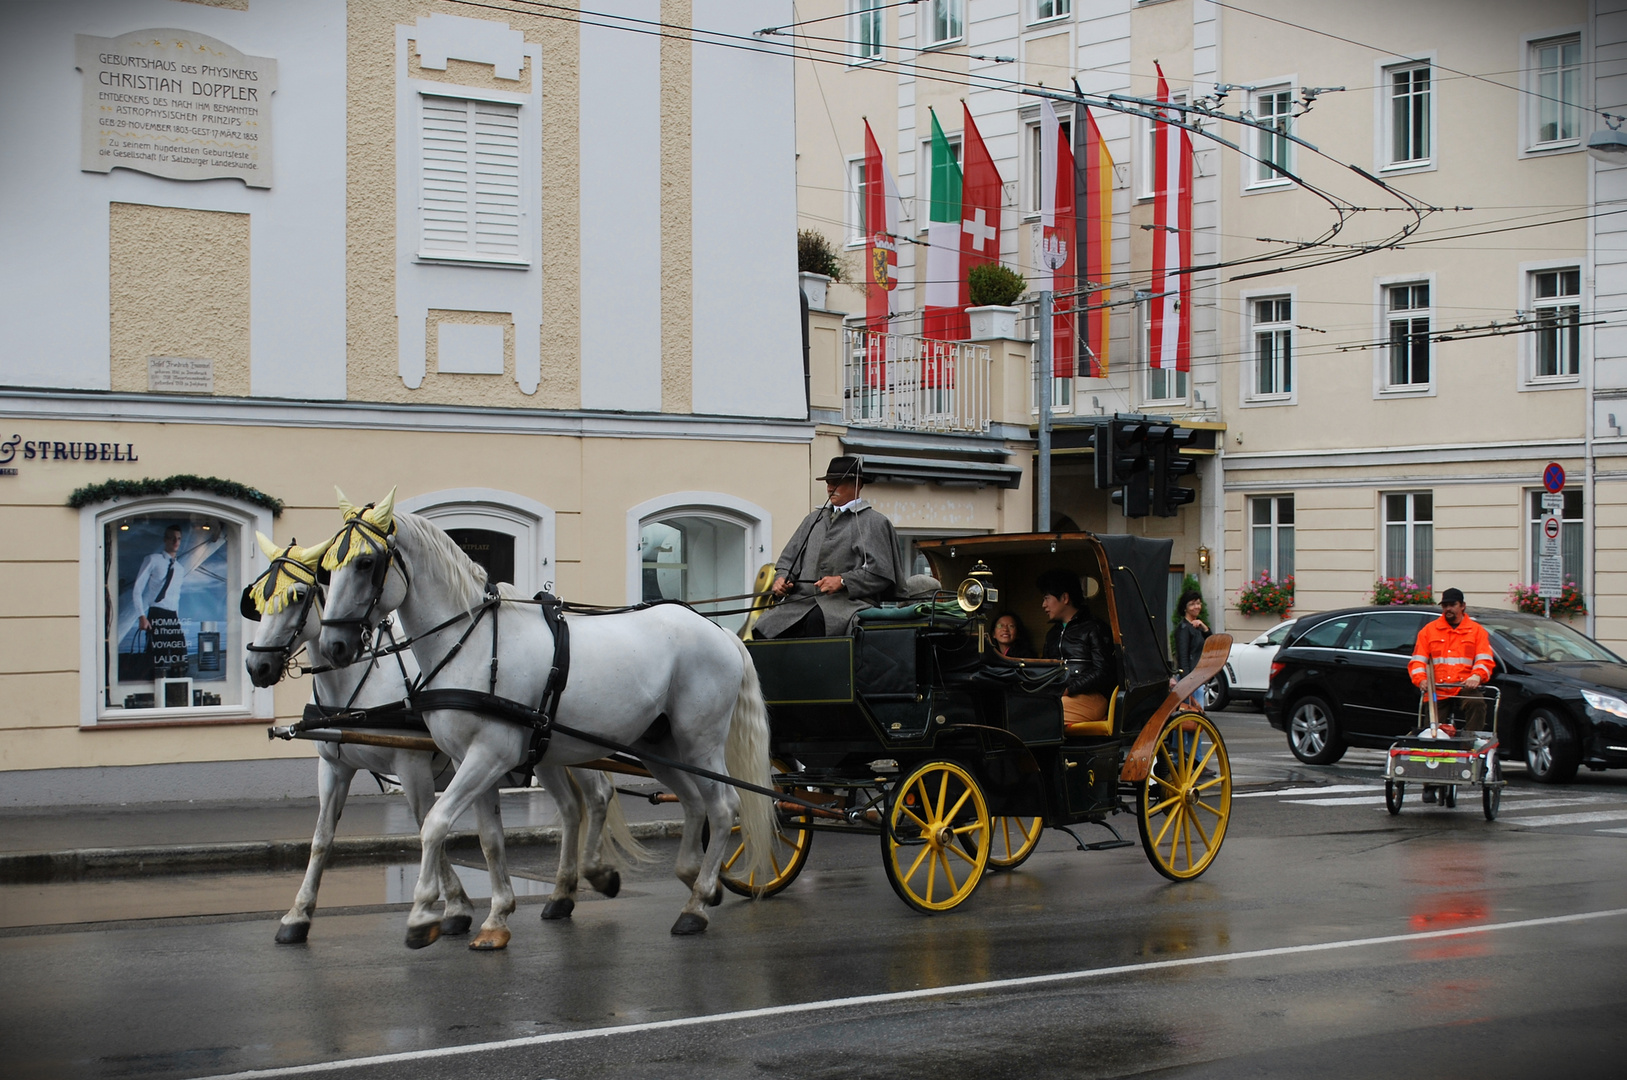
(661,681)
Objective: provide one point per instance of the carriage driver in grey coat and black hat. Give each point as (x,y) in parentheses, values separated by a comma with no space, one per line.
(842,560)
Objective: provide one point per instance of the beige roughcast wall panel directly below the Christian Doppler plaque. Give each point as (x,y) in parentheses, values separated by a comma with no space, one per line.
(178,287)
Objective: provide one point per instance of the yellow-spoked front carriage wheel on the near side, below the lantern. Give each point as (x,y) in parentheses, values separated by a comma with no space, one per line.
(936,837)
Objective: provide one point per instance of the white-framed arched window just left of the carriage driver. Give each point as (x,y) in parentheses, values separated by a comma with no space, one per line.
(697,546)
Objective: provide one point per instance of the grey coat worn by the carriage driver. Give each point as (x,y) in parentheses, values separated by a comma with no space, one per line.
(857,546)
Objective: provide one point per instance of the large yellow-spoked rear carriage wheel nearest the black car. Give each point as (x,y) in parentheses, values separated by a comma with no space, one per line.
(1187,799)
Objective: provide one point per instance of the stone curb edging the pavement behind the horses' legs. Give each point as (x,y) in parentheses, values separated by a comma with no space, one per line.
(274,855)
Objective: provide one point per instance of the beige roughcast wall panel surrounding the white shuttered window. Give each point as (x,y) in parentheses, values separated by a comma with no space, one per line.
(373,368)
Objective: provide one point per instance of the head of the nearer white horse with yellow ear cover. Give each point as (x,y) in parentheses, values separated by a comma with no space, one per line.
(362,590)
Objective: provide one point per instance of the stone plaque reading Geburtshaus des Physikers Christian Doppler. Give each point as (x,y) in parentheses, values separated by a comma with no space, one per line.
(175,103)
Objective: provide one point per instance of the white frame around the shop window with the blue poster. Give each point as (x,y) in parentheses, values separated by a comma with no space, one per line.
(256,703)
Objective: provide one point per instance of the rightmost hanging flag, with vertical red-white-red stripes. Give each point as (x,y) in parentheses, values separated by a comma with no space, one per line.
(1171,336)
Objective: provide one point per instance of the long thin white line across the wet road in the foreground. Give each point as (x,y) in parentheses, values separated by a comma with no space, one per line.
(905,996)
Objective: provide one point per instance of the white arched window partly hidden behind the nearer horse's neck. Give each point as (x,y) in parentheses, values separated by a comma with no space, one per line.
(508,534)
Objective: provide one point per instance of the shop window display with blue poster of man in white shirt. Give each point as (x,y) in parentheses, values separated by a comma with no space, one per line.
(172,635)
